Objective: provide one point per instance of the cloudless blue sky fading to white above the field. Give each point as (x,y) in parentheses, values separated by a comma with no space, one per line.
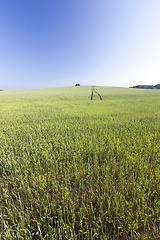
(55,43)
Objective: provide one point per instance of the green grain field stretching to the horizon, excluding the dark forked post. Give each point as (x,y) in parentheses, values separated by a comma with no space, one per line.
(72,168)
